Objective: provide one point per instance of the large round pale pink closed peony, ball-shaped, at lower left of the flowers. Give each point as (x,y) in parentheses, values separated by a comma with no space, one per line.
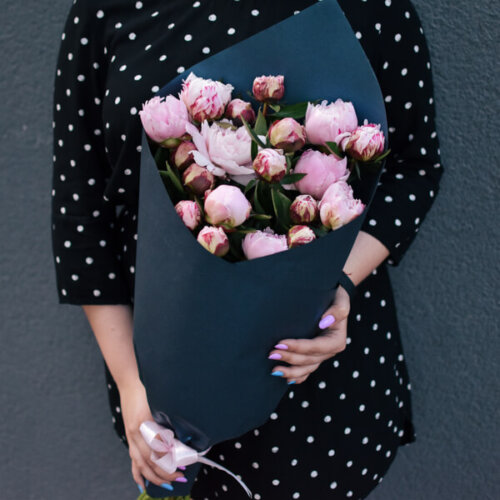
(227,206)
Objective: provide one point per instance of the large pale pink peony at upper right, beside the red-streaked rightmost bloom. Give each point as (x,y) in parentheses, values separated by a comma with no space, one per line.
(326,122)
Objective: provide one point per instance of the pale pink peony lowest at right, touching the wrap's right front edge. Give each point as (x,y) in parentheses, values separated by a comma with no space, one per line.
(338,206)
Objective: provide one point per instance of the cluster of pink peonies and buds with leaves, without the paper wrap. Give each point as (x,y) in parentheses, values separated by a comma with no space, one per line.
(249,184)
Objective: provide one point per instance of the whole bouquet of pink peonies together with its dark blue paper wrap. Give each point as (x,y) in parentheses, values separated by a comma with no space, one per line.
(242,176)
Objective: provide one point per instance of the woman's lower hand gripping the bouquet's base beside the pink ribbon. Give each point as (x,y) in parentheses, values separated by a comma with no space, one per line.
(135,410)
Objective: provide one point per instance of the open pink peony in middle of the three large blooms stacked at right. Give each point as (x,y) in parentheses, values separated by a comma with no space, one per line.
(321,169)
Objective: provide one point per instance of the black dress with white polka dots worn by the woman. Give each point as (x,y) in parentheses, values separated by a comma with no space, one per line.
(335,435)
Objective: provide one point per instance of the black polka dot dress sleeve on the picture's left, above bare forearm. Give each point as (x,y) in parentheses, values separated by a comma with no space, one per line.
(83,220)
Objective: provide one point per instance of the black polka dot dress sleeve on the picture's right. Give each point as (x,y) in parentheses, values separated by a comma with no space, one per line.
(410,181)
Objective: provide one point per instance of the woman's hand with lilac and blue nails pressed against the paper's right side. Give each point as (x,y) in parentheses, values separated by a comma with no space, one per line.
(305,355)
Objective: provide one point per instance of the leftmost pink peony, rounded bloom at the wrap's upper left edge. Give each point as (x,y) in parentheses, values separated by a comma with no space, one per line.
(164,118)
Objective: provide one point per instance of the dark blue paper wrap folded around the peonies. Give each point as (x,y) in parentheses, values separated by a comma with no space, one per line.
(203,326)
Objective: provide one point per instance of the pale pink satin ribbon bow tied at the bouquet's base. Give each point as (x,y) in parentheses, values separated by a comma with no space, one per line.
(169,453)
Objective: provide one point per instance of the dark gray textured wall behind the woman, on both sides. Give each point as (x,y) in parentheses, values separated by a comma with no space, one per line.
(55,429)
